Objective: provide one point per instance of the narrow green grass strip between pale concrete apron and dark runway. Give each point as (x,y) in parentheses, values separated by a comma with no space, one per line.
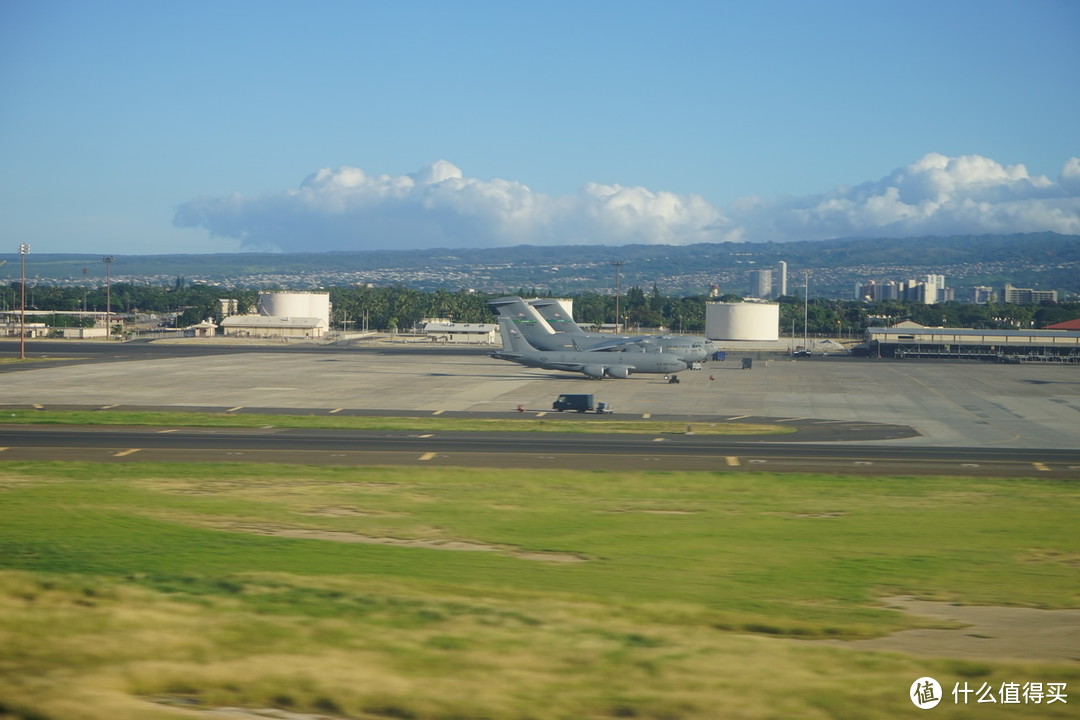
(553,425)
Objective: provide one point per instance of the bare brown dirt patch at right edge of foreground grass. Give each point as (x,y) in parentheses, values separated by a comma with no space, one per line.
(989,633)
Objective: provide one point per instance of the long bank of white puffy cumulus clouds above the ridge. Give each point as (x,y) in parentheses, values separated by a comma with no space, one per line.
(346,209)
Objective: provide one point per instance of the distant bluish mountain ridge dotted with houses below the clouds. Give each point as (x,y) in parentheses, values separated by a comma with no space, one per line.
(1047,261)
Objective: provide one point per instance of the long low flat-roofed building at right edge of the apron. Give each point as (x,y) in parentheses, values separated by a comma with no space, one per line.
(964,344)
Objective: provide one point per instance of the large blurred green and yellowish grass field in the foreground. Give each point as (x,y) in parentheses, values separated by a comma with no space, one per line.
(158,591)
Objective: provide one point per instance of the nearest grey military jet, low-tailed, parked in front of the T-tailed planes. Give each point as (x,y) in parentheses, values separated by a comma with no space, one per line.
(593,364)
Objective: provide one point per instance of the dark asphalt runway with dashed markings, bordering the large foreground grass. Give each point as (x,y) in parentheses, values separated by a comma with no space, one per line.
(516,450)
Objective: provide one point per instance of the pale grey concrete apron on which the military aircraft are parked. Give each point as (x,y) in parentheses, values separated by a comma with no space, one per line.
(951,404)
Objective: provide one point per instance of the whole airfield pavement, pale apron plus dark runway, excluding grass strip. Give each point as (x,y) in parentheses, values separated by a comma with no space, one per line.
(859,416)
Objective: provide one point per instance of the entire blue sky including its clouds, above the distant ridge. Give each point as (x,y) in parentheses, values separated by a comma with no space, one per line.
(217,127)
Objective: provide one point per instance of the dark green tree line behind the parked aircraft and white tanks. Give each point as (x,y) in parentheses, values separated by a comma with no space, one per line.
(401,308)
